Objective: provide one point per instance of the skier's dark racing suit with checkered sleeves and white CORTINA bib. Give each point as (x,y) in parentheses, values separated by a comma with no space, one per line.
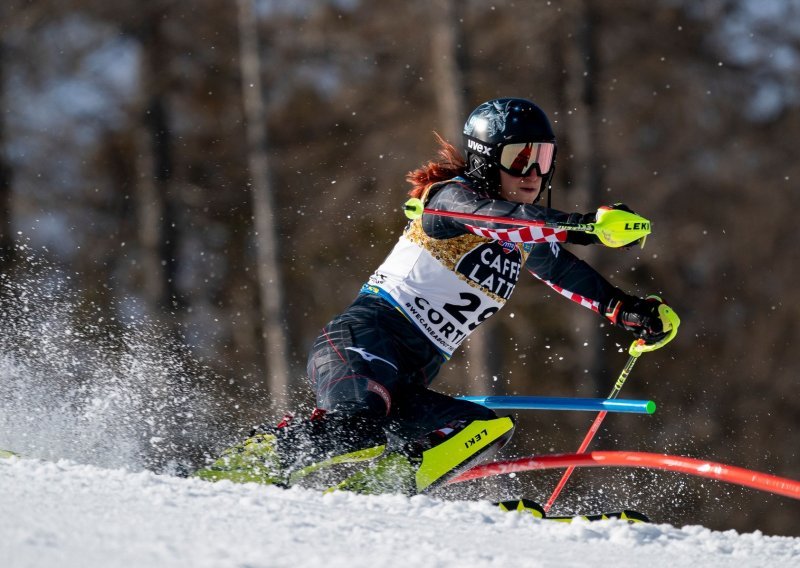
(444,277)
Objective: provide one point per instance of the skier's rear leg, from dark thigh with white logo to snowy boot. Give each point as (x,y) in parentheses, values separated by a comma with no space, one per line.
(348,424)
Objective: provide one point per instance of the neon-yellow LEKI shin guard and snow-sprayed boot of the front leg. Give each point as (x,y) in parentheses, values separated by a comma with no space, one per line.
(428,463)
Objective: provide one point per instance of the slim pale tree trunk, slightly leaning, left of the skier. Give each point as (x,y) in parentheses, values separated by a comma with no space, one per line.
(269,272)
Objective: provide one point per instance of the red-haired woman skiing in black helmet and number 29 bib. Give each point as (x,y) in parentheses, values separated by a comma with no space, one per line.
(372,365)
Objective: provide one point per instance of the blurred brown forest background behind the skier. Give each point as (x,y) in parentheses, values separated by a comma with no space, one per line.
(233,172)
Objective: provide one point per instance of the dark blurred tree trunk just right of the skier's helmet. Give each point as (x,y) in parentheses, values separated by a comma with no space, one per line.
(582,64)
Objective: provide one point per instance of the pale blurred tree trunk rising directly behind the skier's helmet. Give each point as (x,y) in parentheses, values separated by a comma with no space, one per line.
(450,91)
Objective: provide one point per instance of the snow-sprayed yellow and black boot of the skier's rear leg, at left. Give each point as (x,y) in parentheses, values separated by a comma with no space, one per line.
(299,451)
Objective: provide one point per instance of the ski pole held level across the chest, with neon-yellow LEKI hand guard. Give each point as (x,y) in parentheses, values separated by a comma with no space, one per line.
(614,227)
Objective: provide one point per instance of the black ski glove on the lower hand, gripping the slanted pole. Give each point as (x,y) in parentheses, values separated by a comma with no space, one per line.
(649,319)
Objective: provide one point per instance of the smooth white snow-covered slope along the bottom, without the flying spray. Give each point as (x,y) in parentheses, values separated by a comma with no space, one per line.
(70,515)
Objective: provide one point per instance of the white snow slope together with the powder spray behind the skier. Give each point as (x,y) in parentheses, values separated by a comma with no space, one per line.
(121,405)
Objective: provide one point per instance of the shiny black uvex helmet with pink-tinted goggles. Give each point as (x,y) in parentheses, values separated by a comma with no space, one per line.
(509,134)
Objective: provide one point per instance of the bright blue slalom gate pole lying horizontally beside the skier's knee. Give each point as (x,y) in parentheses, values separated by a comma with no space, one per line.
(556,403)
